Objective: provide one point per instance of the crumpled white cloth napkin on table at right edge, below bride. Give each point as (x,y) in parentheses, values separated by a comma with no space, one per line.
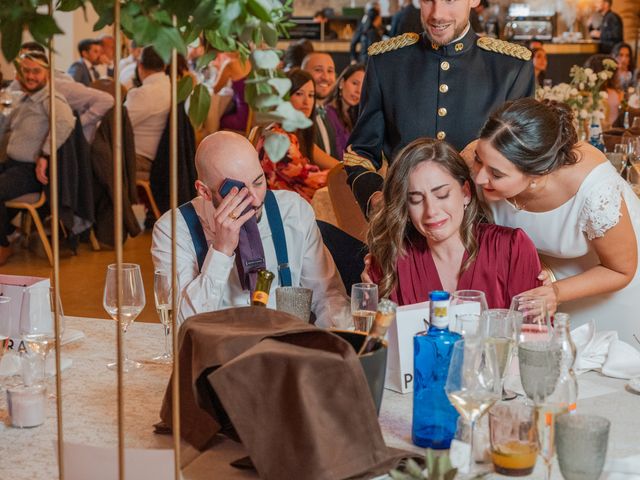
(603,351)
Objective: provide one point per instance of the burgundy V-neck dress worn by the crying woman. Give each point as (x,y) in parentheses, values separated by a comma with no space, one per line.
(507,264)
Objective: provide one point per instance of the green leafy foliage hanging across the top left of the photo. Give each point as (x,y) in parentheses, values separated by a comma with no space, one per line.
(228,25)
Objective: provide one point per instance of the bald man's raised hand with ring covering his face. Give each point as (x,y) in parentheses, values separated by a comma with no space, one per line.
(228,220)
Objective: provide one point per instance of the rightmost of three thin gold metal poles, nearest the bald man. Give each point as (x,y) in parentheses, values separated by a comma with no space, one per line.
(173,171)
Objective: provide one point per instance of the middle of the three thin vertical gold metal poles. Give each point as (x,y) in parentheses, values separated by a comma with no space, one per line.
(117,186)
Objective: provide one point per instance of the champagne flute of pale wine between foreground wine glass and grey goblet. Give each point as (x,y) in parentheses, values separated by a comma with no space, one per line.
(498,326)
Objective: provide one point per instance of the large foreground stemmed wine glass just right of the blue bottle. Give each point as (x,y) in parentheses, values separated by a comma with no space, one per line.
(473,383)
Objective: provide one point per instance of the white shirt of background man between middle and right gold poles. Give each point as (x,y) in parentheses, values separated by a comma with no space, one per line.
(148,108)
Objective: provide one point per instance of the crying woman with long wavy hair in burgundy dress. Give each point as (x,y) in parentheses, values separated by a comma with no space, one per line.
(430,235)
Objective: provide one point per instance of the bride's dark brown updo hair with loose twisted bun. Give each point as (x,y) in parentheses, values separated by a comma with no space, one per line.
(537,137)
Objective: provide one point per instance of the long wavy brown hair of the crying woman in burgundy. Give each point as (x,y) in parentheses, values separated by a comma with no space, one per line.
(391,229)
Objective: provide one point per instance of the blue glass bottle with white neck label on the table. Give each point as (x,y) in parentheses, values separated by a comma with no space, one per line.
(434,418)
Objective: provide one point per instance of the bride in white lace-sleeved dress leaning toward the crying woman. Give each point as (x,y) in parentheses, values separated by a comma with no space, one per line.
(583,218)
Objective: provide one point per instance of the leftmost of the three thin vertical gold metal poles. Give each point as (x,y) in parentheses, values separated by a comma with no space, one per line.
(53,180)
